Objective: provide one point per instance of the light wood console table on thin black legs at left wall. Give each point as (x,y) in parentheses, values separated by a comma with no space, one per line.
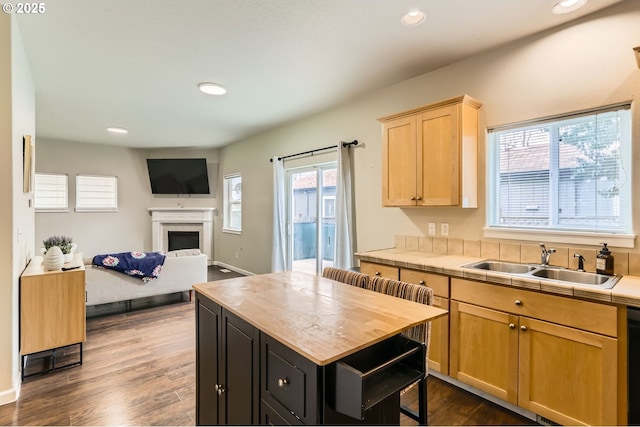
(52,309)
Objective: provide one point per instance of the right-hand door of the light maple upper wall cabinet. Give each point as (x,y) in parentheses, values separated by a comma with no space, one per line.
(438,168)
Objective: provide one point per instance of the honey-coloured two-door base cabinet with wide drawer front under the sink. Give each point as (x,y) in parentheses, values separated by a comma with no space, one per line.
(554,356)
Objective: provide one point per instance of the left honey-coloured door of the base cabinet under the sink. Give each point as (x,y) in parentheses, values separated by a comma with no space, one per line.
(484,349)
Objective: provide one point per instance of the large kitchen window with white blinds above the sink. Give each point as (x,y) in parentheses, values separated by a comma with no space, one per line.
(570,173)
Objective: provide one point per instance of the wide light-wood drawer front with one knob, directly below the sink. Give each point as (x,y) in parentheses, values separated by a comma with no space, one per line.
(589,316)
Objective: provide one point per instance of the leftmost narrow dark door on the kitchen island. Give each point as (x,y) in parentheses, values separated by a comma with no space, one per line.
(208,318)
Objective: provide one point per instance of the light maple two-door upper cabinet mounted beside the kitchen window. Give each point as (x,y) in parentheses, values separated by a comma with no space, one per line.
(430,155)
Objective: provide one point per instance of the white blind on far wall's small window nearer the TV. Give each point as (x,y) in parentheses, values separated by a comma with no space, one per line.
(96,193)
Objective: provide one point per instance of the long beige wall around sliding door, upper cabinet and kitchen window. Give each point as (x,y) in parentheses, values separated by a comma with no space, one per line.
(587,64)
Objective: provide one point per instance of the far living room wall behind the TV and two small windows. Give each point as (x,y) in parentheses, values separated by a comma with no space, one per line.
(128,229)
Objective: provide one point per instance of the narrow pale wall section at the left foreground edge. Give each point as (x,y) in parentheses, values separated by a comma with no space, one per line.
(17,118)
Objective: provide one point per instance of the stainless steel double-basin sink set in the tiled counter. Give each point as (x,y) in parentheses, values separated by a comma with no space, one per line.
(557,274)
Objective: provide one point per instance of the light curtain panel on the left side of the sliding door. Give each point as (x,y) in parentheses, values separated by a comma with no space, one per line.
(278,247)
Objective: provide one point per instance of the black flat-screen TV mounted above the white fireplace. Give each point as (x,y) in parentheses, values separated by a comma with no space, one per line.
(178,176)
